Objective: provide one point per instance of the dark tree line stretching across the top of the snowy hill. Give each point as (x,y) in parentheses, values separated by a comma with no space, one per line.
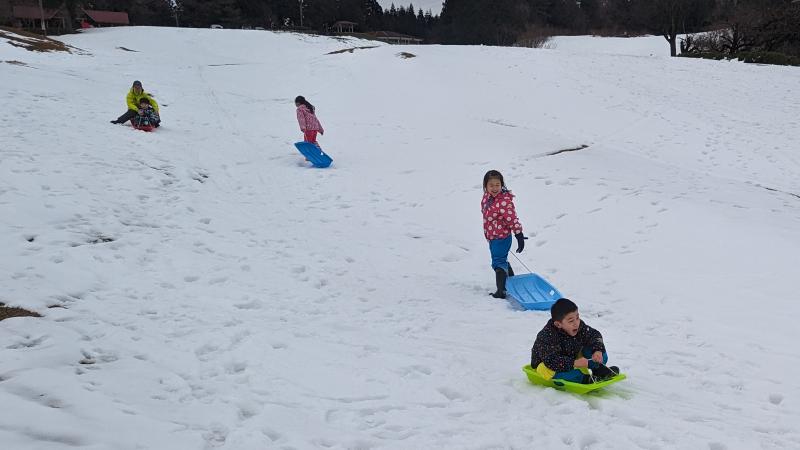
(771,25)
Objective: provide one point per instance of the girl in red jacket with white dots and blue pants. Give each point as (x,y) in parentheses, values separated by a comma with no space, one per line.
(500,222)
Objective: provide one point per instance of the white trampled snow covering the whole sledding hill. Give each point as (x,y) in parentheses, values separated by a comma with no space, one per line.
(201,287)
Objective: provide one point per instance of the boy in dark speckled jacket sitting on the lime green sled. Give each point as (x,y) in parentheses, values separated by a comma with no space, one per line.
(566,344)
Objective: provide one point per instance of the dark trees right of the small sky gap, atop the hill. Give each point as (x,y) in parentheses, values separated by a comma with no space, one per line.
(767,24)
